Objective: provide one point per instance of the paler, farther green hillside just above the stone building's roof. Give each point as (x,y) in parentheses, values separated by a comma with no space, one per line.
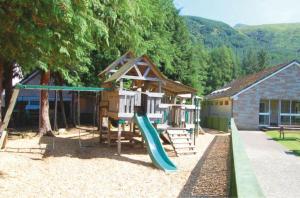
(281,41)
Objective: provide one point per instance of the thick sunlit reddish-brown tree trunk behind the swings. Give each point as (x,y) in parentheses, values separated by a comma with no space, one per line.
(44,120)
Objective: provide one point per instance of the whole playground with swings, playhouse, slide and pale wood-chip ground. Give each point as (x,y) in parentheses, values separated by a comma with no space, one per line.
(146,141)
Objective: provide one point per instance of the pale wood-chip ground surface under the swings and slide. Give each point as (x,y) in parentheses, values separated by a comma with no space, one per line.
(27,170)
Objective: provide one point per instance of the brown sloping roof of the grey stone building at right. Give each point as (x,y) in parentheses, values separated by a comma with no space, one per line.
(236,86)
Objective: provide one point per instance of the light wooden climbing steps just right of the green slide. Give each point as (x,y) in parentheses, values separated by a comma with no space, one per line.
(181,141)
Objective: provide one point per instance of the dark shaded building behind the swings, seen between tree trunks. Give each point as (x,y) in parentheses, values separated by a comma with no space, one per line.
(26,111)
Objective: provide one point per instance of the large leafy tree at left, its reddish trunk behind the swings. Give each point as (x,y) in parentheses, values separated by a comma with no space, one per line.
(51,35)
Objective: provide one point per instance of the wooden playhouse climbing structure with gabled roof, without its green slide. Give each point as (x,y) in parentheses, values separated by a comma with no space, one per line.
(138,87)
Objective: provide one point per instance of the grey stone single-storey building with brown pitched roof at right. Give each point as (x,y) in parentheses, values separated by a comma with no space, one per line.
(267,98)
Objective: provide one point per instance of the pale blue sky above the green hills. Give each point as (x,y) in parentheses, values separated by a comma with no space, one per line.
(250,12)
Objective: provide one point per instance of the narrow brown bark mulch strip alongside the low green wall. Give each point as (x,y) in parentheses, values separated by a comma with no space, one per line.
(211,176)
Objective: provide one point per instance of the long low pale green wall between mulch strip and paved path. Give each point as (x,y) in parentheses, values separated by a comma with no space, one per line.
(245,180)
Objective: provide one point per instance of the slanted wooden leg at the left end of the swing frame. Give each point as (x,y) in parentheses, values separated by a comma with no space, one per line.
(8,113)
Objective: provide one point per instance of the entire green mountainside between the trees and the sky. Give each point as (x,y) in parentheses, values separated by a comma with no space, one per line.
(280,41)
